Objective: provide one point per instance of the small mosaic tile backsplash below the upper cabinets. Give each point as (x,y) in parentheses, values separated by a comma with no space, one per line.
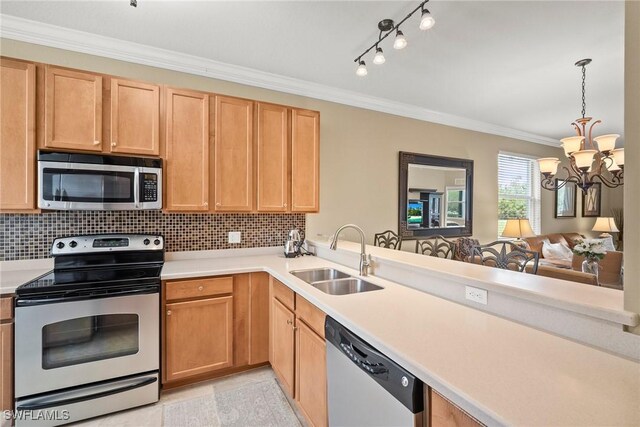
(29,236)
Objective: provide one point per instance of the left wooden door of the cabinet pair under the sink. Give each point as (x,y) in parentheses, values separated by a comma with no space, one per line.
(282,346)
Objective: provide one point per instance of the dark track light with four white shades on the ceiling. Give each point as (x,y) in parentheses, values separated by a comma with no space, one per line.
(387,27)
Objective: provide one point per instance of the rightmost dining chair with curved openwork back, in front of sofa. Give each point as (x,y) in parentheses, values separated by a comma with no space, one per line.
(506,255)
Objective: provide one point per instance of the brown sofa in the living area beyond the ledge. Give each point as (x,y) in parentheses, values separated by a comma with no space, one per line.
(570,268)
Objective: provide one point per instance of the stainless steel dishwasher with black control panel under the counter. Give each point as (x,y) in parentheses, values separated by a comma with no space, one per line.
(365,387)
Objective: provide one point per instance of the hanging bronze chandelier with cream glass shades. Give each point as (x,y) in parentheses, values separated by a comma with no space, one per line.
(590,159)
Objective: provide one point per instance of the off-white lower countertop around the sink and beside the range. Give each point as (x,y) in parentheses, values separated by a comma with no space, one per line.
(499,371)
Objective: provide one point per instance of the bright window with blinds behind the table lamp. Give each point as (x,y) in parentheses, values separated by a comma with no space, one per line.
(518,190)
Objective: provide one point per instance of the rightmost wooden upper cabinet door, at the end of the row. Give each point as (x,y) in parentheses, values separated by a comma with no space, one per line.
(305,161)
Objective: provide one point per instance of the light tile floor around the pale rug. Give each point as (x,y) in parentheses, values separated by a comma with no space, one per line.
(152,415)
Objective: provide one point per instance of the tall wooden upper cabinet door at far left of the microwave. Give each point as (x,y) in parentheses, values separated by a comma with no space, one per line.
(17,135)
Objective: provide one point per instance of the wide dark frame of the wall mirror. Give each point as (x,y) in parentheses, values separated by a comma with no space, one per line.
(422,159)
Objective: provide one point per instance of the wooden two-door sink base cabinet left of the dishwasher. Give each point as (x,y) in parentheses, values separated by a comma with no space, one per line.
(298,351)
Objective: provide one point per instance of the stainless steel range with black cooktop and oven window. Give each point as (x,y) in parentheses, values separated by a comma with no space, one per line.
(87,334)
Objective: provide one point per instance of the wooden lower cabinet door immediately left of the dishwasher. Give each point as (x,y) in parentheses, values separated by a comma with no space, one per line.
(311,375)
